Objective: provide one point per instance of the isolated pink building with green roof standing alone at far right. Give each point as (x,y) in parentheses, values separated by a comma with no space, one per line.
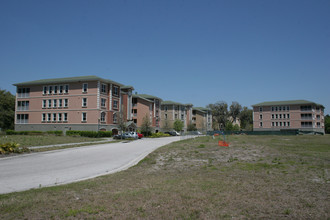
(301,115)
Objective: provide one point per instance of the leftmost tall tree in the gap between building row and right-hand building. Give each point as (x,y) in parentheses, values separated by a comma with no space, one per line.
(220,114)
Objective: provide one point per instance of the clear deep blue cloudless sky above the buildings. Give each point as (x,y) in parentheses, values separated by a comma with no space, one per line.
(186,51)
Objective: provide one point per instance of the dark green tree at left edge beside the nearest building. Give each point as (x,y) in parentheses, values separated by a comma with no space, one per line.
(7,110)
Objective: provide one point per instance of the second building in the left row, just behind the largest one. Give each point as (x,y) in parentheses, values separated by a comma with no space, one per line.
(144,105)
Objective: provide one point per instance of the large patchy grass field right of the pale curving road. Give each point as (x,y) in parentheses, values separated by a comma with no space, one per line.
(269,177)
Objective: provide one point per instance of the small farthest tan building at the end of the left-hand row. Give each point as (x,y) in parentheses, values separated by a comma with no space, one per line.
(202,119)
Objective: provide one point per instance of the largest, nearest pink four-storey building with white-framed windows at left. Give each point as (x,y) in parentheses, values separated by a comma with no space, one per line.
(75,103)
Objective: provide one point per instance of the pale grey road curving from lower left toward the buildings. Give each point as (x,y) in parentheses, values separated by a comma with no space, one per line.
(57,167)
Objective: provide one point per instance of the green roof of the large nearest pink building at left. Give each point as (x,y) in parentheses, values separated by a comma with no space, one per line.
(66,80)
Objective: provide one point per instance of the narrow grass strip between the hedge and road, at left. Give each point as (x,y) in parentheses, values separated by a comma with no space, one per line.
(41,140)
